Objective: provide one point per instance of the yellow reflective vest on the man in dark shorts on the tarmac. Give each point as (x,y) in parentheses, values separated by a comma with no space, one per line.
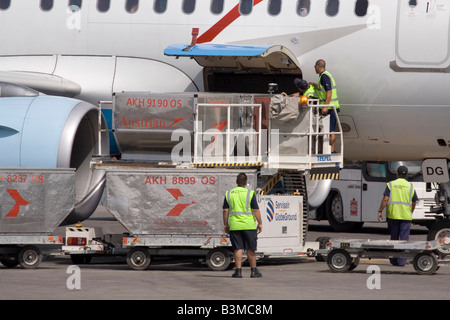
(241,216)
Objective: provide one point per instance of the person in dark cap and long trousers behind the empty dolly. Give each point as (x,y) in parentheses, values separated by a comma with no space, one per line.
(399,199)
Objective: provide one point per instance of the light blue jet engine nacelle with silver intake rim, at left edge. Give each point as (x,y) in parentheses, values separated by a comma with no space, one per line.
(55,132)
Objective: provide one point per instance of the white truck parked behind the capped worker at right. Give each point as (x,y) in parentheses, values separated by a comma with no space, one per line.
(355,197)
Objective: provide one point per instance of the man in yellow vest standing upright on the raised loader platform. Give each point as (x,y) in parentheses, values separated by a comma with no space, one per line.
(326,90)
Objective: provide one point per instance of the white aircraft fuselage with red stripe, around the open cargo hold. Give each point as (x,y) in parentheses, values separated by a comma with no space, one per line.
(390,59)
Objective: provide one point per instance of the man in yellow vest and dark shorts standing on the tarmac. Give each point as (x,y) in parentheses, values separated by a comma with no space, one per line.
(240,210)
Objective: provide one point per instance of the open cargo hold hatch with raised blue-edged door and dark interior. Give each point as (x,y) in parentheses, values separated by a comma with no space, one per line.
(243,69)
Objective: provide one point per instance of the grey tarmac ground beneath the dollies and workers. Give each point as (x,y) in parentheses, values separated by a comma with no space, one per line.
(178,280)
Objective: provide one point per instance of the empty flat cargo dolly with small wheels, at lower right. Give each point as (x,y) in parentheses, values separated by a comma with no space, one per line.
(344,254)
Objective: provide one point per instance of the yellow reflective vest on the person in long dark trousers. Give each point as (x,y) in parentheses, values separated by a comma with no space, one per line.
(399,206)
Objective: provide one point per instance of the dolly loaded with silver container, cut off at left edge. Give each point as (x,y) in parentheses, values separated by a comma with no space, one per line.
(34,202)
